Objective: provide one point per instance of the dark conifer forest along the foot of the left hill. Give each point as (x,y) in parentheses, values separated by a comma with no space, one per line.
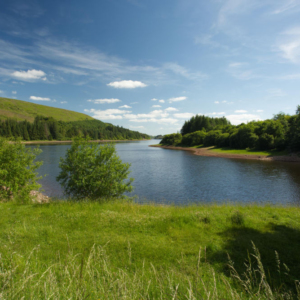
(48,128)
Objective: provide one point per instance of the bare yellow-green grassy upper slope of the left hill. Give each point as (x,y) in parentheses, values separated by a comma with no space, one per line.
(22,110)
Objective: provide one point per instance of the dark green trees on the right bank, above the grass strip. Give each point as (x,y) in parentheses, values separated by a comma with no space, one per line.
(281,132)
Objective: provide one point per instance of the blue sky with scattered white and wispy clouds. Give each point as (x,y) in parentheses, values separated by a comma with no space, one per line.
(149,65)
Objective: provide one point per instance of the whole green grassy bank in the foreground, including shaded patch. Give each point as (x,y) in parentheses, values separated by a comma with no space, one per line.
(124,250)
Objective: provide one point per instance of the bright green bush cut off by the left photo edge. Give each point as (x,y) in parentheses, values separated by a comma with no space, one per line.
(17,170)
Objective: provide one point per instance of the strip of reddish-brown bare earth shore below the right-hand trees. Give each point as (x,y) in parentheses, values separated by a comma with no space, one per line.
(206,152)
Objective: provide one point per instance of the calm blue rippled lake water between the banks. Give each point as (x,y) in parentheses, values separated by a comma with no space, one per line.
(170,176)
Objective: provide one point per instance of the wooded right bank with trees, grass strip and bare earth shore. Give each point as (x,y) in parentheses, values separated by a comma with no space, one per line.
(277,139)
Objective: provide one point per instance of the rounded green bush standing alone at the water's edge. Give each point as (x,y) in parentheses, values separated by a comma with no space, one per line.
(94,171)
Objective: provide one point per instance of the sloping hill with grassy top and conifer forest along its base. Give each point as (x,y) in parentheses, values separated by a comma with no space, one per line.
(31,122)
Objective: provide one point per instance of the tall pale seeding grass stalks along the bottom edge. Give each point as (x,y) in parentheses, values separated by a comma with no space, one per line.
(92,276)
